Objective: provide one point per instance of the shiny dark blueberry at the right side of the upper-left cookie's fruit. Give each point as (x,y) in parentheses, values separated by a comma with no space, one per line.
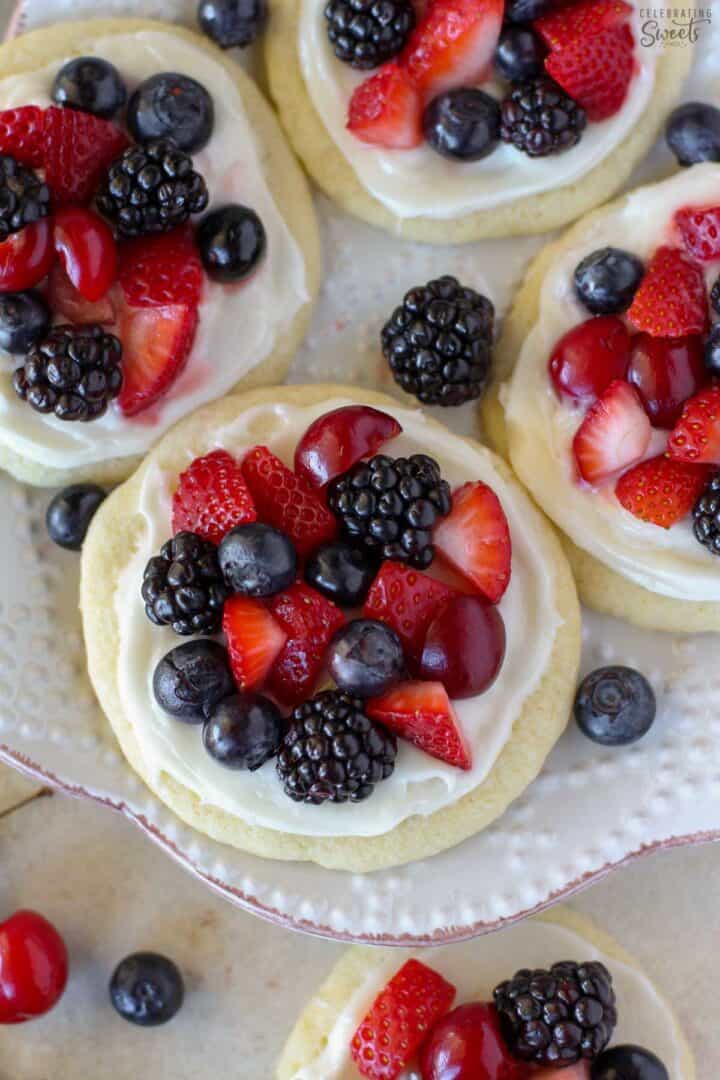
(232,241)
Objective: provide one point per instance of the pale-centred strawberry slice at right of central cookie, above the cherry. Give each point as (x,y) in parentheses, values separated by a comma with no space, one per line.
(476,539)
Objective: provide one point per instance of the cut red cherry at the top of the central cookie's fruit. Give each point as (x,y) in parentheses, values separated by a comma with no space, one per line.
(337,440)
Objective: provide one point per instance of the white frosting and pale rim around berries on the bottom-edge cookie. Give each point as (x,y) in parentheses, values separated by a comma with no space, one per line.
(476,968)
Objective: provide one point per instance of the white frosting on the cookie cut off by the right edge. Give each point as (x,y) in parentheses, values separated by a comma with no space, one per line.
(665,561)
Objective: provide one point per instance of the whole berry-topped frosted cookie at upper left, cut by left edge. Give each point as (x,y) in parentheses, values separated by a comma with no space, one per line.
(158,245)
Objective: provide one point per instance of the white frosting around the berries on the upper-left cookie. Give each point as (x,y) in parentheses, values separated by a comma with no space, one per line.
(239,325)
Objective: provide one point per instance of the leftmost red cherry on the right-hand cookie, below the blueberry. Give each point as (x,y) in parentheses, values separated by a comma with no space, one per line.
(590,357)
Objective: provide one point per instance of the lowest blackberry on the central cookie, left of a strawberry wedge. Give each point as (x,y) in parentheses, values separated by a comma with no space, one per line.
(334,752)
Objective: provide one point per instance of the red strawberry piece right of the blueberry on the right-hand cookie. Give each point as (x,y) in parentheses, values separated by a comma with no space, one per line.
(672,301)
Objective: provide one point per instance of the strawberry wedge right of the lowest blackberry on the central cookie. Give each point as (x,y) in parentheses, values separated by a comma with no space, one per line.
(422,713)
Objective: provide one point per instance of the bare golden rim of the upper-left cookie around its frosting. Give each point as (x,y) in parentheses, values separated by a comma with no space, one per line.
(286,182)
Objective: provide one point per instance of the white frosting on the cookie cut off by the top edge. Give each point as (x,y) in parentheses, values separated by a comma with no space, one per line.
(422,182)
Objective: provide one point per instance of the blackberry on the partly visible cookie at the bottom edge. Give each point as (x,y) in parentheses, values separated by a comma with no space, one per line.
(559,1017)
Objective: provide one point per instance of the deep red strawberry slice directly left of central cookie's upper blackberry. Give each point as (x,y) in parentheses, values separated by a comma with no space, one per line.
(288,502)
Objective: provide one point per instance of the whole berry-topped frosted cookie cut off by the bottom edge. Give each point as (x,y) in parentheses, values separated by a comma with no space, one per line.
(553,998)
